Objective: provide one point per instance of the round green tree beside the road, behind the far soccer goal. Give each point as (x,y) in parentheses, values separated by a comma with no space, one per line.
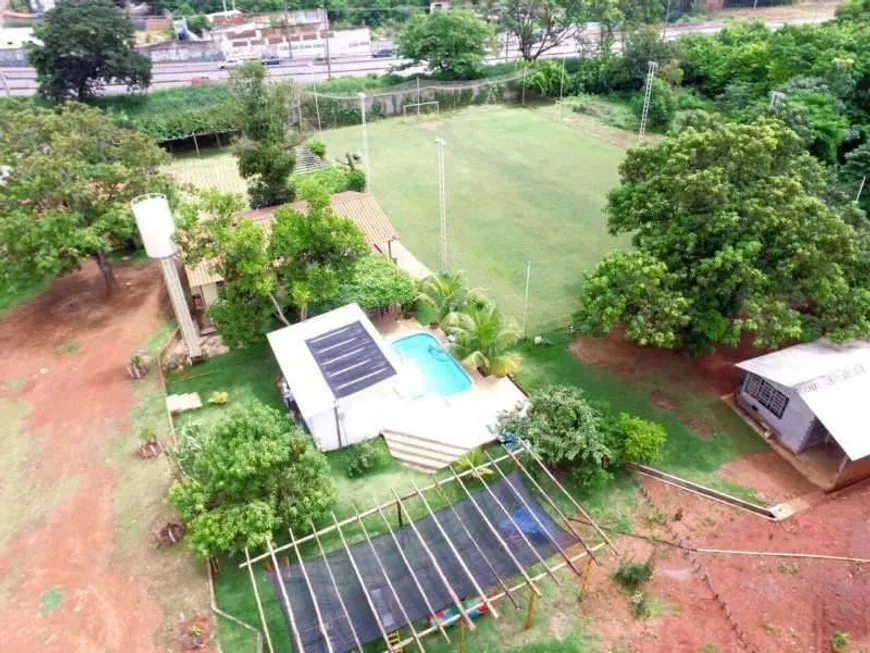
(453,43)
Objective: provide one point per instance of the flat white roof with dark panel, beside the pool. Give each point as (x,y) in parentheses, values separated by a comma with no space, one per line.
(332,356)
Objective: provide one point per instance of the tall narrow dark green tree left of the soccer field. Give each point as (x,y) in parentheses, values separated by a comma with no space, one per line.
(265,150)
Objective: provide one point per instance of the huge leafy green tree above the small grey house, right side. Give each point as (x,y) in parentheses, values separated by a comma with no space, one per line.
(735,233)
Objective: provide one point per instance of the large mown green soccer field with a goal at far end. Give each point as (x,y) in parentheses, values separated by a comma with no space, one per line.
(521,185)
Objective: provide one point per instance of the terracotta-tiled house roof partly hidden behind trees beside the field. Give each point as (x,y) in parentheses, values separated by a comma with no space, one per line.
(361,208)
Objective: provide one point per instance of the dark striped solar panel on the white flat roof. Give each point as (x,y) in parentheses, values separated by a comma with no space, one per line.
(349,359)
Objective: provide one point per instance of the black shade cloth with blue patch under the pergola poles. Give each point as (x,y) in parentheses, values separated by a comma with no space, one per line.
(540,532)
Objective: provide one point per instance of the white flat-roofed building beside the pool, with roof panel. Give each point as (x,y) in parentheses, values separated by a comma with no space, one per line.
(342,375)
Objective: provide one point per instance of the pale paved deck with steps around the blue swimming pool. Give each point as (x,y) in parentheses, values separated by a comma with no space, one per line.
(430,431)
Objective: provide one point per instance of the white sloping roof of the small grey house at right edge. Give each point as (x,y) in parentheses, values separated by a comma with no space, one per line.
(833,380)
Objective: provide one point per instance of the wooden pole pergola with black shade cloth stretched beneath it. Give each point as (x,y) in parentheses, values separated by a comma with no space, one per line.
(357,594)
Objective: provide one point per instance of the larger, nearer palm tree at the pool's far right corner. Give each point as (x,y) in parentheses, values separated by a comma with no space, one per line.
(484,338)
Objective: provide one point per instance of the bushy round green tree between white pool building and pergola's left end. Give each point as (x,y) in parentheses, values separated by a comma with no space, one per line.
(248,478)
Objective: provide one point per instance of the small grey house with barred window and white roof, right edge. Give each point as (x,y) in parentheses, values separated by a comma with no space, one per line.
(810,398)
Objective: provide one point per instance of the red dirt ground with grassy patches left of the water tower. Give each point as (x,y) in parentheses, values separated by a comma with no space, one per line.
(77,567)
